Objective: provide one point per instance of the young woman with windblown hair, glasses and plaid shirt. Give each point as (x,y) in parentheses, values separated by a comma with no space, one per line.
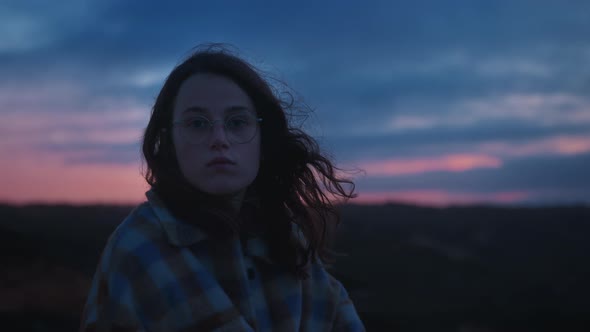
(234,231)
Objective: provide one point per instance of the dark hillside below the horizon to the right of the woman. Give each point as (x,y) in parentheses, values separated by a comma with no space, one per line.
(488,266)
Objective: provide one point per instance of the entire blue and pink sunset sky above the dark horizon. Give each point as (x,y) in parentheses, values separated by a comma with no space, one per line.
(438,102)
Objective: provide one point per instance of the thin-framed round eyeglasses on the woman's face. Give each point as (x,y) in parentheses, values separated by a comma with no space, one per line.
(239,129)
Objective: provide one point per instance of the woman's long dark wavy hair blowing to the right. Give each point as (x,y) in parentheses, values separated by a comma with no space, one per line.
(295,181)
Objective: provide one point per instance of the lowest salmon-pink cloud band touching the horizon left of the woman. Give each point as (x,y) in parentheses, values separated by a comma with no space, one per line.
(46,179)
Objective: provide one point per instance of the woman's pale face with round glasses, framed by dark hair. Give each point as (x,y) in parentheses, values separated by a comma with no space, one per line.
(215,160)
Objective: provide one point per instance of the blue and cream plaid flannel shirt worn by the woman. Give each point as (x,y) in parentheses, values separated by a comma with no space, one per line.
(158,273)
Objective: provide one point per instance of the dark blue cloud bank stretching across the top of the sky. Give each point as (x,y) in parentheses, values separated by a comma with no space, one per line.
(319,47)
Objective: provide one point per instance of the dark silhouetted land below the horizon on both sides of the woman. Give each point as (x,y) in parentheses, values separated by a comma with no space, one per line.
(407,268)
